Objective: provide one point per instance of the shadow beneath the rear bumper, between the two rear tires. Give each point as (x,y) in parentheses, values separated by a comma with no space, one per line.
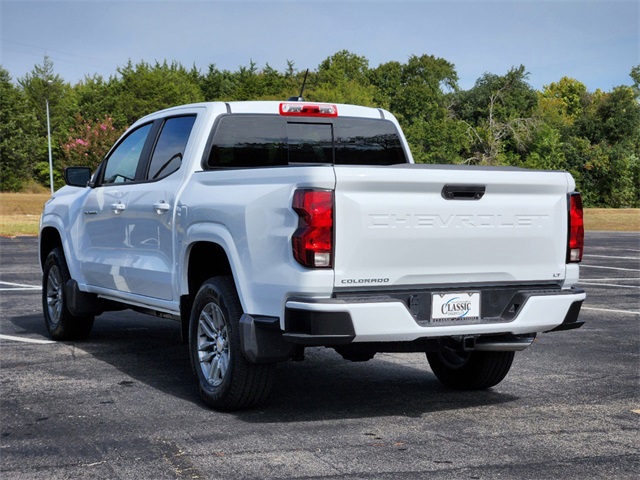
(326,387)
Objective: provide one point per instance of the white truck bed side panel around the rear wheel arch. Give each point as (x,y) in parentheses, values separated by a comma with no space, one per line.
(250,213)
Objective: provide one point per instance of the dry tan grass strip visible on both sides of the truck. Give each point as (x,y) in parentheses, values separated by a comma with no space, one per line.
(20,215)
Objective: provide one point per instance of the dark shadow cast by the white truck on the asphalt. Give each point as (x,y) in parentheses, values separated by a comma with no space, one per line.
(323,386)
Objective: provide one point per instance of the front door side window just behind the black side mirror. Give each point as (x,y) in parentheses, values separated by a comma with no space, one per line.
(123,162)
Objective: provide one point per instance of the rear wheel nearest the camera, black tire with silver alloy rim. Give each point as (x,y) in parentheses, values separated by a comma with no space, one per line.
(226,379)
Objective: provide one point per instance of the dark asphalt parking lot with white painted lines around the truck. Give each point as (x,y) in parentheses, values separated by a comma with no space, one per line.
(123,404)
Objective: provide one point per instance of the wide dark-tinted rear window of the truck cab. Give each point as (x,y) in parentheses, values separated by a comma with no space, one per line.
(241,141)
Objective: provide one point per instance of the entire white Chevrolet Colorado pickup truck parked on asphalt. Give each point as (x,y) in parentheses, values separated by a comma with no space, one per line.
(268,227)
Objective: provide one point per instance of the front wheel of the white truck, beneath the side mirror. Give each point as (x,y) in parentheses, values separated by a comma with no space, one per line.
(60,323)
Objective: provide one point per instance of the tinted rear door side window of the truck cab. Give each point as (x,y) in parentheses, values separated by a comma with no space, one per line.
(167,155)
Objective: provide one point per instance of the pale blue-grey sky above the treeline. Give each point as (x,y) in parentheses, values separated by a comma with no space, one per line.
(594,41)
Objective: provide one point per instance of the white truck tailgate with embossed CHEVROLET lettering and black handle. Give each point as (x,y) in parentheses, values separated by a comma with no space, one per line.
(395,228)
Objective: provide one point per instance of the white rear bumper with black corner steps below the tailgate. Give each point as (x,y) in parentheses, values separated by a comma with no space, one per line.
(341,321)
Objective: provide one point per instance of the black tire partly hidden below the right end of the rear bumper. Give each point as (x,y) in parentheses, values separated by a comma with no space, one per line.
(470,370)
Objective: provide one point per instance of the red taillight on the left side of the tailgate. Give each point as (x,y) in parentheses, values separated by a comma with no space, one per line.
(313,240)
